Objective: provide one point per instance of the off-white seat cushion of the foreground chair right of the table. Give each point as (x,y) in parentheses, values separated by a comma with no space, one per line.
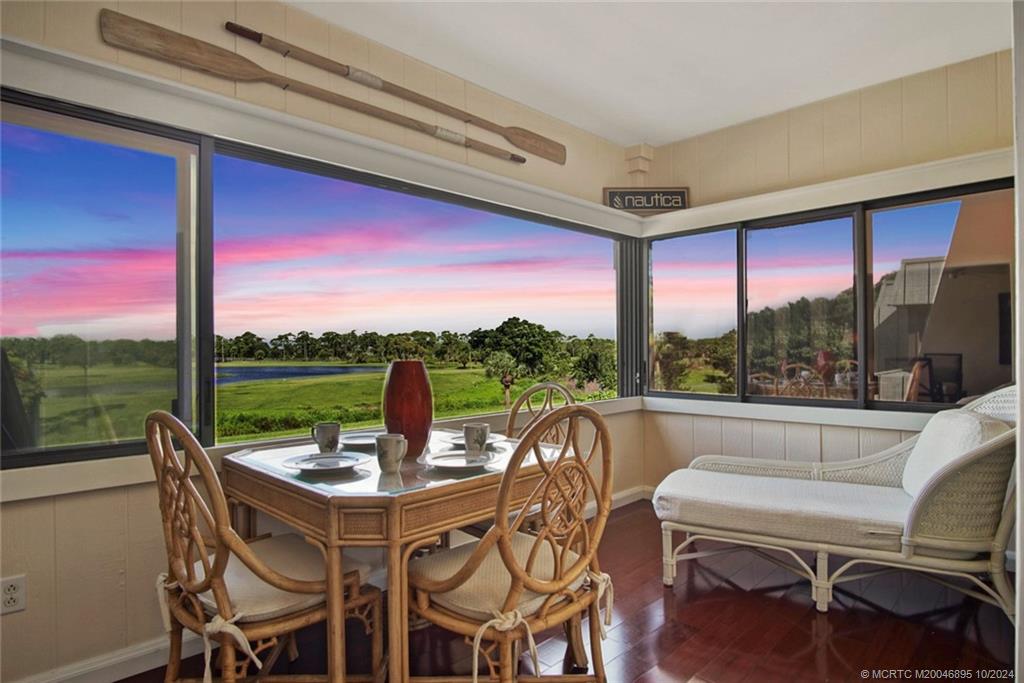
(486,591)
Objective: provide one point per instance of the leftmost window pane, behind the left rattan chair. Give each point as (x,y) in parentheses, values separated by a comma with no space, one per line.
(96,222)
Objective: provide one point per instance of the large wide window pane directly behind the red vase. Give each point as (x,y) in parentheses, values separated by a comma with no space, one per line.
(321,282)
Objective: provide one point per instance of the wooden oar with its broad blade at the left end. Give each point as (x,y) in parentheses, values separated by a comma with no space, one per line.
(154,41)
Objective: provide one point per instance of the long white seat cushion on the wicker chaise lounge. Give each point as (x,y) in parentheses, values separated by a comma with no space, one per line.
(840,514)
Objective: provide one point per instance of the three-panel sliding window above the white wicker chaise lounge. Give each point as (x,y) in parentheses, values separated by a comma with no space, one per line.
(913,310)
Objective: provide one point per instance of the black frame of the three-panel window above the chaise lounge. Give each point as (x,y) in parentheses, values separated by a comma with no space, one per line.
(863,292)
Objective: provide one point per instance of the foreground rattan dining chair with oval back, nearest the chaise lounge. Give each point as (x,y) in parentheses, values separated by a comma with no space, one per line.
(509,585)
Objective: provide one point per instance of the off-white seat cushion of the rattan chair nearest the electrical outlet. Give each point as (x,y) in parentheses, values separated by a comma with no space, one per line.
(290,556)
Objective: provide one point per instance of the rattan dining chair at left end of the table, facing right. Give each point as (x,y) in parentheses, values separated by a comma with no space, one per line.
(252,597)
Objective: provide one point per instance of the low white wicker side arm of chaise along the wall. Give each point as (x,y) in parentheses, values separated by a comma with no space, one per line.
(882,469)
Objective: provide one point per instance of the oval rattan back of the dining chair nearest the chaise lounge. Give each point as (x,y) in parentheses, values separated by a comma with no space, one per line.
(564,544)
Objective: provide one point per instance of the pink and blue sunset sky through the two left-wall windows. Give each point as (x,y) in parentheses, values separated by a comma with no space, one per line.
(89,248)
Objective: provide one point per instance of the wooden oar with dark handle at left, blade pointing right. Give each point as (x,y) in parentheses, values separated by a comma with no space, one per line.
(521,138)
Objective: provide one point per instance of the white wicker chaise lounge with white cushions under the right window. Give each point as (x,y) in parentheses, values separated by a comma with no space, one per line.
(942,502)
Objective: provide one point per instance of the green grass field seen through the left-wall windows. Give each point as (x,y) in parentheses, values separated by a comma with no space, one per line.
(110,403)
